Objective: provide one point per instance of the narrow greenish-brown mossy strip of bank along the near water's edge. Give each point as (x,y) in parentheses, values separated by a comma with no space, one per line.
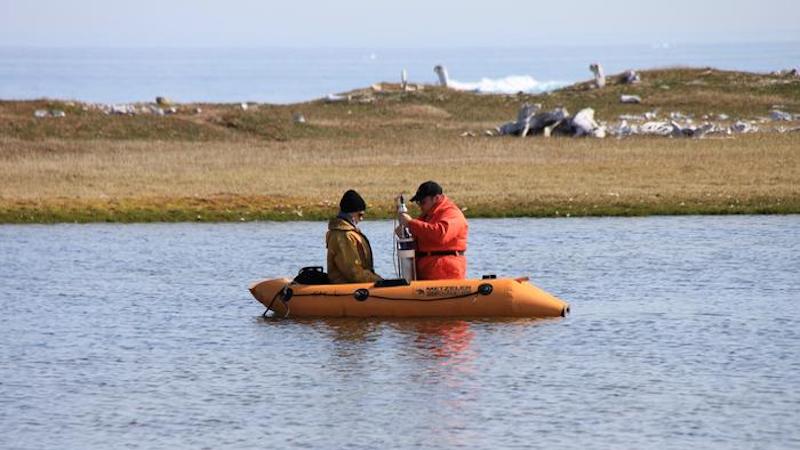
(190,210)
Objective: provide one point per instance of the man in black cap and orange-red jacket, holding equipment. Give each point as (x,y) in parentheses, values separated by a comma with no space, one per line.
(440,233)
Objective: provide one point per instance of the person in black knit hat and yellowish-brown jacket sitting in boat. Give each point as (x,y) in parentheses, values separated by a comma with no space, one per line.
(349,252)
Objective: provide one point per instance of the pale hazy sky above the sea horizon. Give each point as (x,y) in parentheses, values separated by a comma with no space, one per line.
(391,24)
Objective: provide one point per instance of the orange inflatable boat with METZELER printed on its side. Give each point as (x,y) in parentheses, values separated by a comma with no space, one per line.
(496,297)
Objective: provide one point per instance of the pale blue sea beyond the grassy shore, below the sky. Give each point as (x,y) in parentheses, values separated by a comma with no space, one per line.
(282,75)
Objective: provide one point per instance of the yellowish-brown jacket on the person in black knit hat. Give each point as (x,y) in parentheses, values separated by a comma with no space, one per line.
(349,254)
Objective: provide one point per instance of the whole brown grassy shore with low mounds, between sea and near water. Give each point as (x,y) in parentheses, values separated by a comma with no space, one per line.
(228,164)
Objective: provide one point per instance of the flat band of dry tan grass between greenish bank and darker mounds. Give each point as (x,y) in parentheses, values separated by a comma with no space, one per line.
(485,174)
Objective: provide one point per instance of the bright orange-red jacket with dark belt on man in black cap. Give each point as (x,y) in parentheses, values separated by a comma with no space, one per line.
(443,229)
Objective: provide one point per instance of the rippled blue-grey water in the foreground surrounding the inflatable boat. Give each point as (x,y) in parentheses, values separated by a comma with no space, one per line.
(684,333)
